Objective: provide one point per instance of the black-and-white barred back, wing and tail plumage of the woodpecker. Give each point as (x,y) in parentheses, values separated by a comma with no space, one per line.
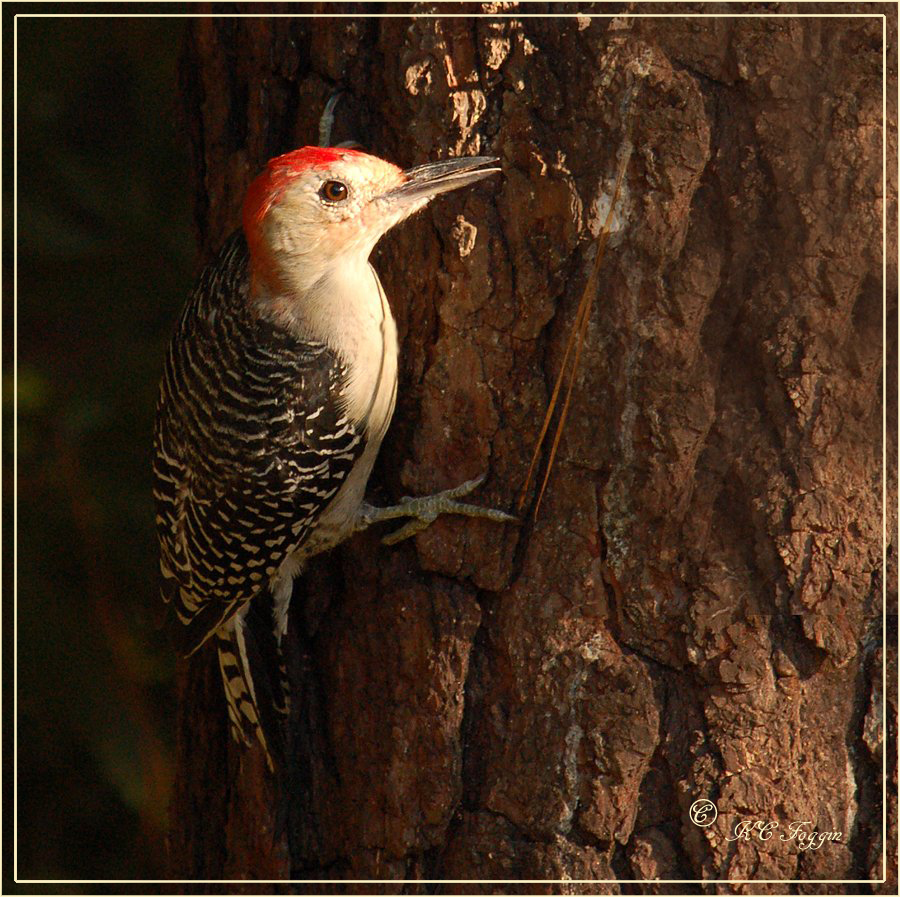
(241,474)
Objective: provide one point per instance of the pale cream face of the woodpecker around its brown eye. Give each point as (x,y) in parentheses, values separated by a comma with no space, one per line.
(336,212)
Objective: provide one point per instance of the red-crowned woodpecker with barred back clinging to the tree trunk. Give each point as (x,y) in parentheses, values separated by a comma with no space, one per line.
(279,385)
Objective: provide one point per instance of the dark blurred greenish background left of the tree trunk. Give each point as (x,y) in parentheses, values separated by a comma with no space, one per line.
(105,259)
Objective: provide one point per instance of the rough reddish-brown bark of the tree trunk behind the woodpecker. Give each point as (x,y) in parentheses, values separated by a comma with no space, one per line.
(696,612)
